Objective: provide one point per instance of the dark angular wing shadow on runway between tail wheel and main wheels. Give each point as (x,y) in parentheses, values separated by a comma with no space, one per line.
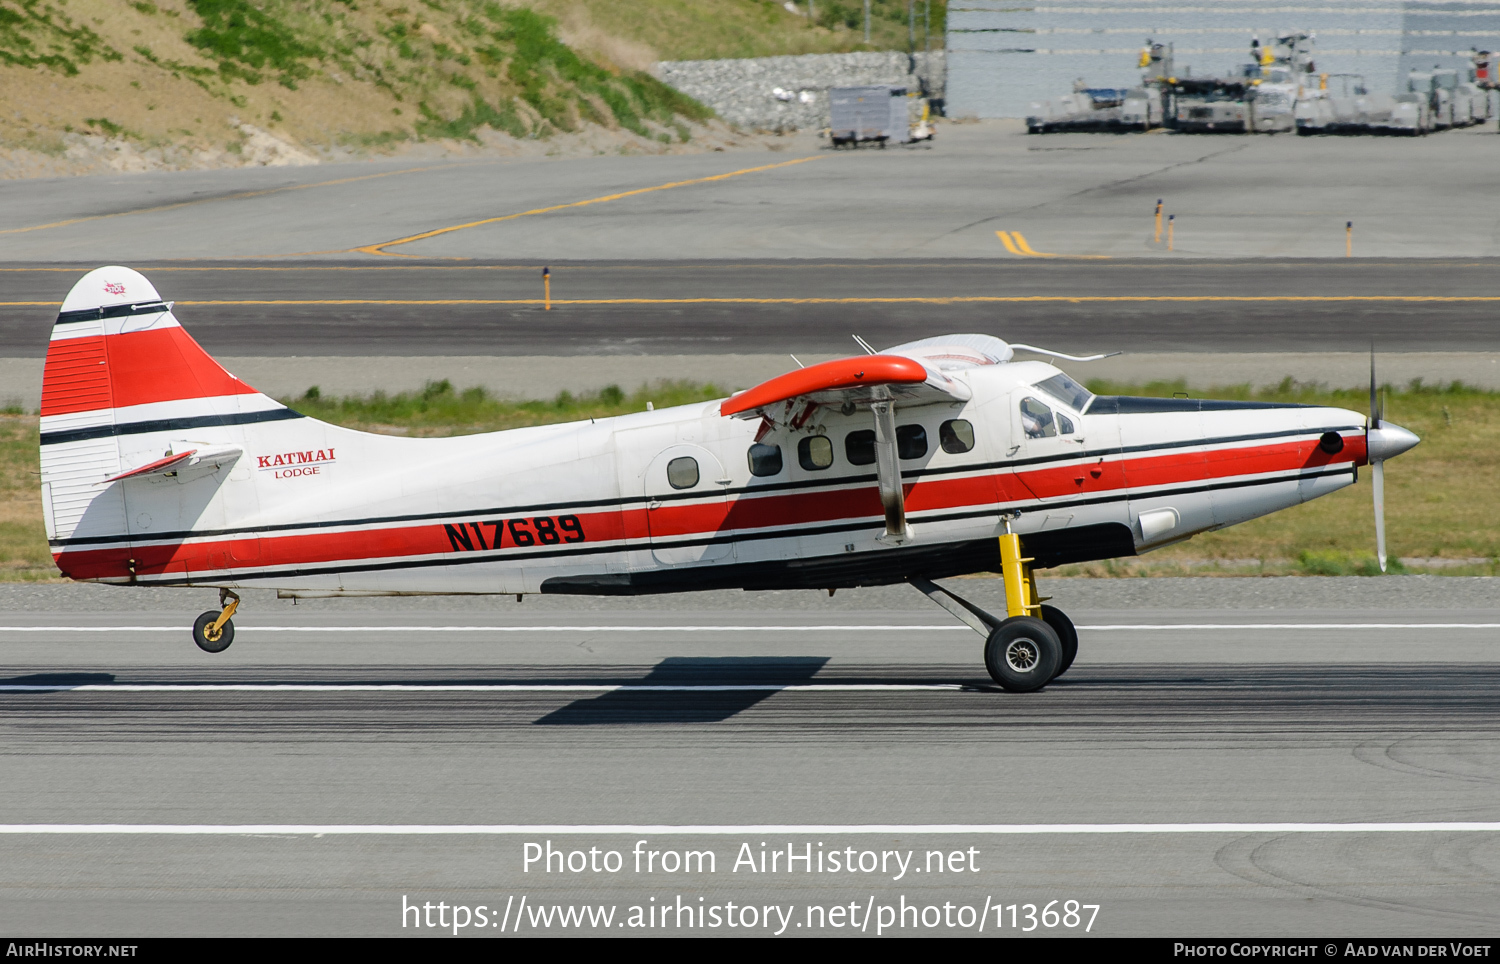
(691,707)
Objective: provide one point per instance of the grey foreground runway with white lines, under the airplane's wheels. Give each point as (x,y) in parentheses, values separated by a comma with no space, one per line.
(296,782)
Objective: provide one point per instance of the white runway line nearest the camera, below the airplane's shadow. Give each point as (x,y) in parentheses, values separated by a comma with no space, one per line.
(611,830)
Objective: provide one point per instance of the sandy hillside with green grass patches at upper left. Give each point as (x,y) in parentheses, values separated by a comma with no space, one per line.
(374,73)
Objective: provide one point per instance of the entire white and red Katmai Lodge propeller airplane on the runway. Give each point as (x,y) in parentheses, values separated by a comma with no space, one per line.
(925,461)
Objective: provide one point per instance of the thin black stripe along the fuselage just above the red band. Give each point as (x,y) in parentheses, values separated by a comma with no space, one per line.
(686,497)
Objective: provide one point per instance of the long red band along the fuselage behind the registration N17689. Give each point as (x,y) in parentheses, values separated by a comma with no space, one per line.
(709,519)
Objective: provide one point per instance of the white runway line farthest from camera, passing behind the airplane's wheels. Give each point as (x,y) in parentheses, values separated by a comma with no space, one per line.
(794,629)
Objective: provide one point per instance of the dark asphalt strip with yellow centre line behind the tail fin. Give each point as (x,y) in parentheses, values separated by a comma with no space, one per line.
(800,307)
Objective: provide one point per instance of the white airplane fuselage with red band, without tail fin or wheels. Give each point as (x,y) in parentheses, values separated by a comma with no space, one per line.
(686,498)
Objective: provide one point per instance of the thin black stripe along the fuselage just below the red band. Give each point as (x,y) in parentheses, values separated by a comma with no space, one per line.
(467,558)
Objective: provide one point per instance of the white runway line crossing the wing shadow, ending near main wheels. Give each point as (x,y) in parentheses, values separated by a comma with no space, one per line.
(464,687)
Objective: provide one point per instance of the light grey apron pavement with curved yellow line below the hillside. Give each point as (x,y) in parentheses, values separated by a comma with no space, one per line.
(1066,196)
